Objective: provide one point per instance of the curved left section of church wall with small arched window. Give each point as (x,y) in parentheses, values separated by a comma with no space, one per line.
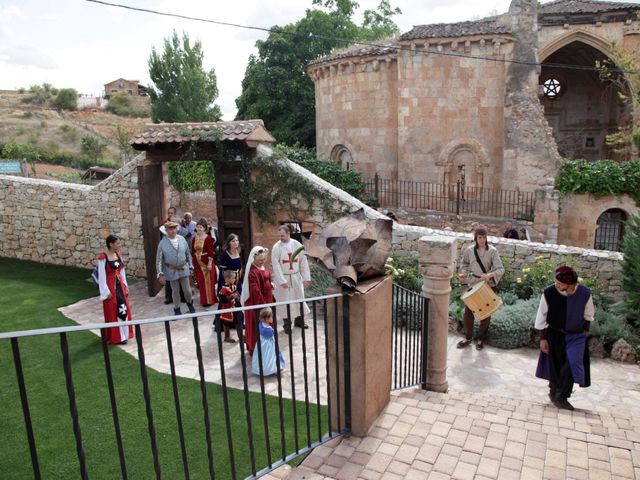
(356,107)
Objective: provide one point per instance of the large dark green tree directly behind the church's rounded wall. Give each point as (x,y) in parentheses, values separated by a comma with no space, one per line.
(275,87)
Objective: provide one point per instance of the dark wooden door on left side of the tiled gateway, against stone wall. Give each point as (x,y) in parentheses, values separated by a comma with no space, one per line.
(150,186)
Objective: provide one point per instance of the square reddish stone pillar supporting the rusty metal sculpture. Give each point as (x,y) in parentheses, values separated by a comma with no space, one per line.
(370,354)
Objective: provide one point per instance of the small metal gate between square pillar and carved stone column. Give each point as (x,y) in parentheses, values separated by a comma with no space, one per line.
(409,338)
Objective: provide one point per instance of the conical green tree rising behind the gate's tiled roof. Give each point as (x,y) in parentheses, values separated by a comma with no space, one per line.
(183,91)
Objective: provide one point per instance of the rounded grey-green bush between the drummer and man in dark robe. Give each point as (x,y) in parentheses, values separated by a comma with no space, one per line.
(512,324)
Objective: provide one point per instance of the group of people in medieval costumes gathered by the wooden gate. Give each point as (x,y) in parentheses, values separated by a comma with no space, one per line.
(187,249)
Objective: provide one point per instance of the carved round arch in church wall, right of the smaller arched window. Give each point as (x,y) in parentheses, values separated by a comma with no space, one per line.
(468,154)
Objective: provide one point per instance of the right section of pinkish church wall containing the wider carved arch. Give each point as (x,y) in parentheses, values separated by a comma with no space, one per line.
(451,112)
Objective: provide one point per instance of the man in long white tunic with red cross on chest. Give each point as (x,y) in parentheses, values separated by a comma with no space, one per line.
(291,275)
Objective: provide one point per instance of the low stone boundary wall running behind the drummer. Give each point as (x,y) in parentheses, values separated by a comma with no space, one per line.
(605,266)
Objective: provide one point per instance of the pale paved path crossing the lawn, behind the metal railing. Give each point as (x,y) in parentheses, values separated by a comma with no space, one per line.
(184,347)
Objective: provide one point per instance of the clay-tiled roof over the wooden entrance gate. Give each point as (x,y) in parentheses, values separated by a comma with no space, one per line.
(247,130)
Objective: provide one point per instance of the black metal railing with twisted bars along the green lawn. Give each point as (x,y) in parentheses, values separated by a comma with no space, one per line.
(261,422)
